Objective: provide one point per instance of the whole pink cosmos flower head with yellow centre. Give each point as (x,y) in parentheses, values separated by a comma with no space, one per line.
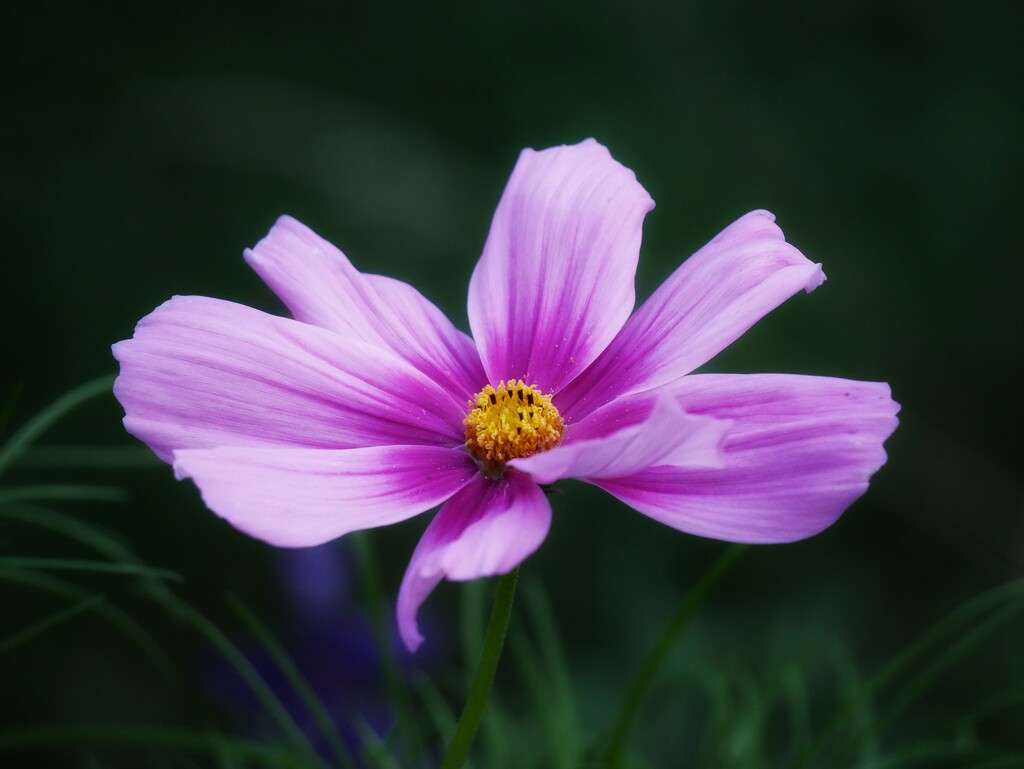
(370,407)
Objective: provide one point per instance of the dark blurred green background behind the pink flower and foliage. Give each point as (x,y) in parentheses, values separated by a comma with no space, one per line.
(145,146)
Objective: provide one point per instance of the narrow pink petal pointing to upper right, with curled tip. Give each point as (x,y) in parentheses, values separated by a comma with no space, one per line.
(717,294)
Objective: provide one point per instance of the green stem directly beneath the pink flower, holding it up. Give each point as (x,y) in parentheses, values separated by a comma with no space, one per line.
(480,691)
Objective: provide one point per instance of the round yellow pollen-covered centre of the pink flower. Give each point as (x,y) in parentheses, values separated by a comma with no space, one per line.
(516,420)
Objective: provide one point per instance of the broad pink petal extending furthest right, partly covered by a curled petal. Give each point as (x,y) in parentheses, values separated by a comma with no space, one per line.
(801,450)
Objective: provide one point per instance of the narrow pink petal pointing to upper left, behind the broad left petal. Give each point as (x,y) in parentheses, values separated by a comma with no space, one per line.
(321,287)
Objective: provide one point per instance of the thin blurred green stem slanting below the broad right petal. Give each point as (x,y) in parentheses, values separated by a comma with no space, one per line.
(657,657)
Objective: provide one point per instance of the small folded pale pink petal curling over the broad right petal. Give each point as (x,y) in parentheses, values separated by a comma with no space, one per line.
(627,437)
